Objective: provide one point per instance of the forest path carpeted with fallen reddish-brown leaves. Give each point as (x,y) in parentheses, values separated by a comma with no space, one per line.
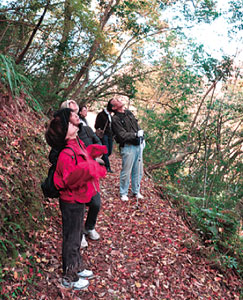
(144,253)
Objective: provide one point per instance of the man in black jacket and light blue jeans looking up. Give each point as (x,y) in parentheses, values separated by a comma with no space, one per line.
(129,136)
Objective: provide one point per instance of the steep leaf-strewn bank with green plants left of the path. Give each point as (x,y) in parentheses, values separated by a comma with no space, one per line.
(23,162)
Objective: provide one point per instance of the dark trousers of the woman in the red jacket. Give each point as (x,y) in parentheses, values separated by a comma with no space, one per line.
(72,226)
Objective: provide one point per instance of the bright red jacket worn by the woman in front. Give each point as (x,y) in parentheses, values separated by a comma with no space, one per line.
(78,183)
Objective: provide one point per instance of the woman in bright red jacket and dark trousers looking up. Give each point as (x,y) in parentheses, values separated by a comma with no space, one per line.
(77,179)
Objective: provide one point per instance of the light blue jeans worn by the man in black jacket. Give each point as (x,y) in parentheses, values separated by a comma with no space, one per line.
(132,166)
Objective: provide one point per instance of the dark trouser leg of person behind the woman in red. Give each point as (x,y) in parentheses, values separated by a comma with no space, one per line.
(94,208)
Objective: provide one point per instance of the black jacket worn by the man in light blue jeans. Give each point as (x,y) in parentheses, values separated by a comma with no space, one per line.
(125,127)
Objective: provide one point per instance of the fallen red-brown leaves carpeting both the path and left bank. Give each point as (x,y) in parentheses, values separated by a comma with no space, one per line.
(143,252)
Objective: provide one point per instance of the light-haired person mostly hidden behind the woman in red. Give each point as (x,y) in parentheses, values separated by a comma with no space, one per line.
(95,204)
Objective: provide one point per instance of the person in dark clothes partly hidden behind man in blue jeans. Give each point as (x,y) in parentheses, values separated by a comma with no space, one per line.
(103,122)
